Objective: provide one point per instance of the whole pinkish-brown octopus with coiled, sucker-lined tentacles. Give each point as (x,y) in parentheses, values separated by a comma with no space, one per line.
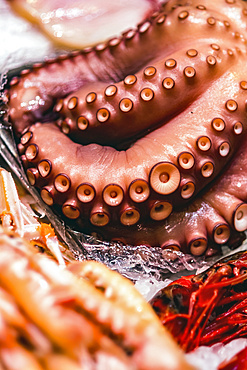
(141,138)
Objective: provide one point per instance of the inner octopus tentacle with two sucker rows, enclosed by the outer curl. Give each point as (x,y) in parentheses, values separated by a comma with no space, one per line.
(137,103)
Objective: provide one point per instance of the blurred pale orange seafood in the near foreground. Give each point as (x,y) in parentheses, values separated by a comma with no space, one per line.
(84,316)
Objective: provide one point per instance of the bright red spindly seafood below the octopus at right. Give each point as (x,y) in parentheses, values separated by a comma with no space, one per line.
(207,308)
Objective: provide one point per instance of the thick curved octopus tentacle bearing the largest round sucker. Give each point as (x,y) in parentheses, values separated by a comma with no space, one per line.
(168,170)
